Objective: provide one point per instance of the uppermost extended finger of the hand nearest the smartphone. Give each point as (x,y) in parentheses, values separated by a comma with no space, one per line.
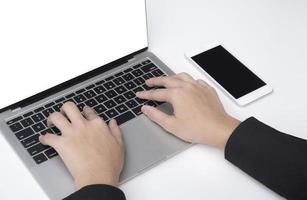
(165,81)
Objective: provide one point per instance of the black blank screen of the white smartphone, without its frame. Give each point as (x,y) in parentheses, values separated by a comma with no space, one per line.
(228,71)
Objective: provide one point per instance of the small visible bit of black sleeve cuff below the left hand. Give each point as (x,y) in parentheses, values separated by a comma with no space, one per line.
(97,192)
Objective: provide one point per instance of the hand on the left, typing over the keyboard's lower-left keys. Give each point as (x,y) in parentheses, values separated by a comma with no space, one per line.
(92,150)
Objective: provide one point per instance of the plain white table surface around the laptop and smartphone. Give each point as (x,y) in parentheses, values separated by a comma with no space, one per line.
(269,37)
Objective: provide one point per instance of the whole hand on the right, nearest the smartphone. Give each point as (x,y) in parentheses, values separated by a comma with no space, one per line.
(199,116)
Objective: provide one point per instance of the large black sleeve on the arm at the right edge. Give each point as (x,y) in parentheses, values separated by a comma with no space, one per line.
(275,159)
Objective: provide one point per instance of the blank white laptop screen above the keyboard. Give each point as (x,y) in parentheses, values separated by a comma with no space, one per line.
(45,43)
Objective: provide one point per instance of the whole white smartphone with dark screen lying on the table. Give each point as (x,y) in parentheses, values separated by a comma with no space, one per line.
(231,75)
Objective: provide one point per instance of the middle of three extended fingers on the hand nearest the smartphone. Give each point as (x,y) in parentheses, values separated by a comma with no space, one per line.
(156,95)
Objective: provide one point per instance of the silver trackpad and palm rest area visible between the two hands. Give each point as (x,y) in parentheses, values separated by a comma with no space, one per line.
(146,143)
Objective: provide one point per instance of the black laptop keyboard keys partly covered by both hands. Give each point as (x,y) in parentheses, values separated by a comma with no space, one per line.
(112,97)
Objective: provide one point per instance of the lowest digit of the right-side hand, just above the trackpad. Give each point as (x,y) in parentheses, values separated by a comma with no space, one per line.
(159,117)
